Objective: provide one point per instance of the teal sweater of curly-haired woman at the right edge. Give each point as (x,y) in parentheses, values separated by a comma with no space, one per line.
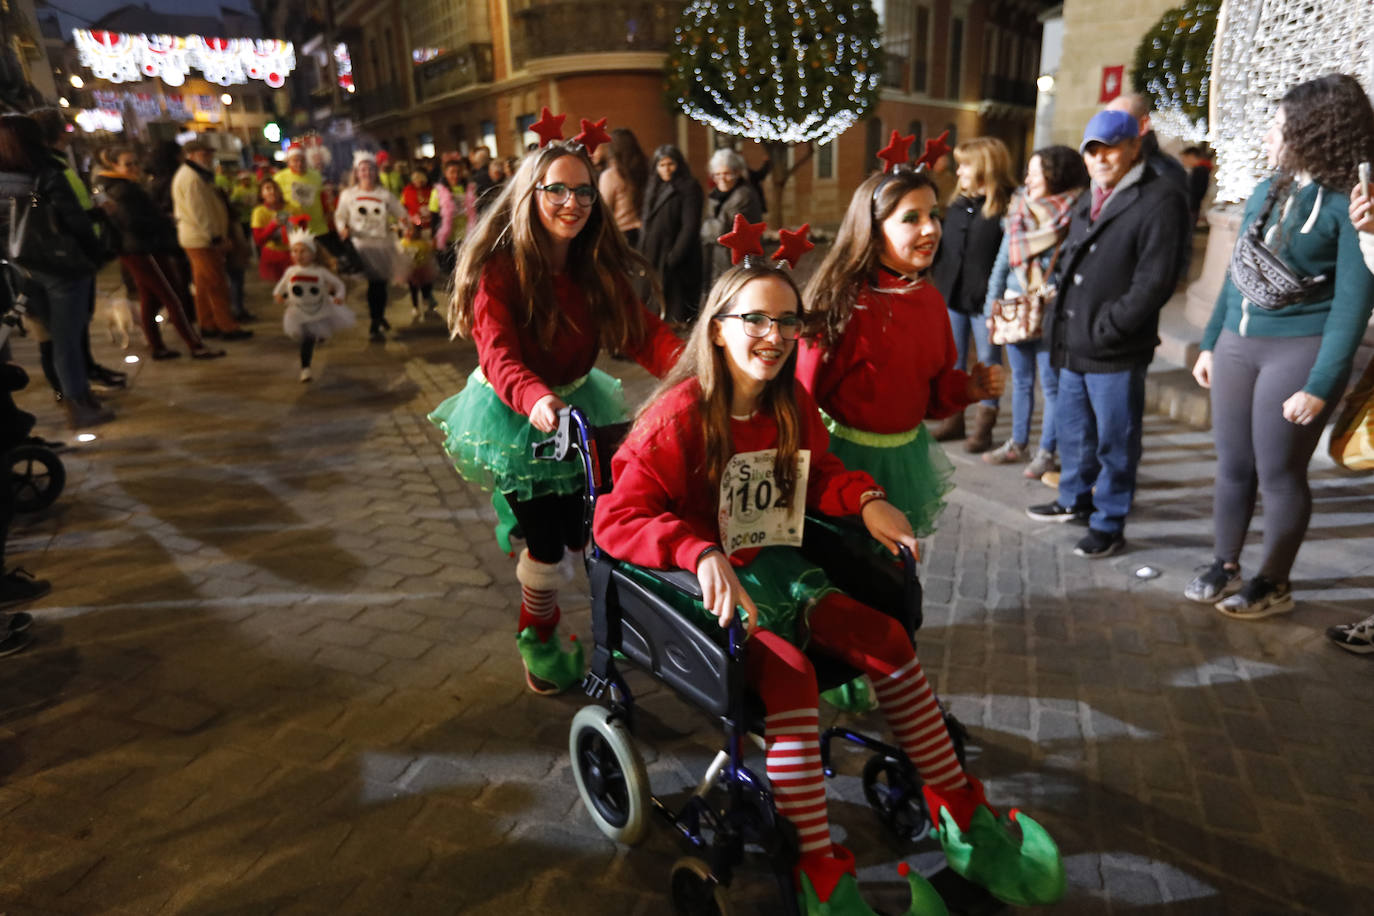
(1321,242)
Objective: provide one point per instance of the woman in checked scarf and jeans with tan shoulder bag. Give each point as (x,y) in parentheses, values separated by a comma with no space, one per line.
(1034,233)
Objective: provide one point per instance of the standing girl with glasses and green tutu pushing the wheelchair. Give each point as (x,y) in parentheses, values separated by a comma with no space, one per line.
(542,288)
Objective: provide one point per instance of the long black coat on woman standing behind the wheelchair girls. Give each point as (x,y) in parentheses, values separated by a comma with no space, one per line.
(671,241)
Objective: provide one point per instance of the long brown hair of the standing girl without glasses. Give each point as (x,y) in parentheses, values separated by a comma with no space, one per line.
(853,260)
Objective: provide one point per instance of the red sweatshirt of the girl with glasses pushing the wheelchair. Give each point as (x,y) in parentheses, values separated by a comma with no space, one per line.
(515,362)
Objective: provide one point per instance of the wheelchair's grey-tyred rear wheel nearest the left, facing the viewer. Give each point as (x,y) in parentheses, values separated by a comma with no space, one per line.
(611,775)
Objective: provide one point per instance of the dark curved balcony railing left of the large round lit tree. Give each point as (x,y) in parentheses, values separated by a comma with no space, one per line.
(553,28)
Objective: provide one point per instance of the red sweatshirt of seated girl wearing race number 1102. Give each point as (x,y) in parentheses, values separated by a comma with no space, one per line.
(662,513)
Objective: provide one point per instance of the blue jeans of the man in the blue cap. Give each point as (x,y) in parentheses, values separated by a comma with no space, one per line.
(1100,420)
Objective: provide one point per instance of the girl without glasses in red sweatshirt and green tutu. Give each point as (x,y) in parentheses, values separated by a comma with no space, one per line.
(884,360)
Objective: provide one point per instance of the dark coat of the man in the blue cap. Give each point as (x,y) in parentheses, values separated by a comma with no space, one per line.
(1116,274)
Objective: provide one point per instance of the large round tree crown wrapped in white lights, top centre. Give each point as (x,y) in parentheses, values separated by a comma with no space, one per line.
(772,71)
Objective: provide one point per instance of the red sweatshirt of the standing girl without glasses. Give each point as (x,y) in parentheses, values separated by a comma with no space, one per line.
(894,366)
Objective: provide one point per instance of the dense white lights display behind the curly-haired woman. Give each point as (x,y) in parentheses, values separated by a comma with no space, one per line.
(1265,49)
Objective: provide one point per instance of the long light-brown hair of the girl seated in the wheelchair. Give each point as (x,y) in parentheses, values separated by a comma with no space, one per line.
(706,360)
